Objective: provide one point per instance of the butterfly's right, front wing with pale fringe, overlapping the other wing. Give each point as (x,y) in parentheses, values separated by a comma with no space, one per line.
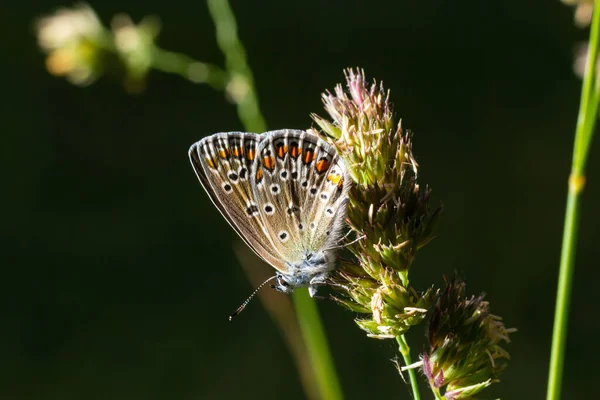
(302,185)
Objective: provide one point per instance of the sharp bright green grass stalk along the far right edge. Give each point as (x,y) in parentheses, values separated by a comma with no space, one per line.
(588,113)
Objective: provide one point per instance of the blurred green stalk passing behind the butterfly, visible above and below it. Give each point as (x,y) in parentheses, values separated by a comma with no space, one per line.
(241,89)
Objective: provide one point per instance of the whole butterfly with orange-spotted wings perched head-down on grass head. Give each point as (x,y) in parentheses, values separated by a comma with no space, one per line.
(285,193)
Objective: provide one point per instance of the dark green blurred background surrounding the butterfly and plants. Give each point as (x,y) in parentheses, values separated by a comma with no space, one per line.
(118,272)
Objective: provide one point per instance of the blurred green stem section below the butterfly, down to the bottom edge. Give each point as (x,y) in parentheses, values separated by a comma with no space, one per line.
(316,342)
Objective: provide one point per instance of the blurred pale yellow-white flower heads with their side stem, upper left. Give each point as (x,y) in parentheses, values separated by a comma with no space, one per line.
(81,49)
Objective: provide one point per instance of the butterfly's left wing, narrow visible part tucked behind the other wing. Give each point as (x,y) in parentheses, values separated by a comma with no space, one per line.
(223,163)
